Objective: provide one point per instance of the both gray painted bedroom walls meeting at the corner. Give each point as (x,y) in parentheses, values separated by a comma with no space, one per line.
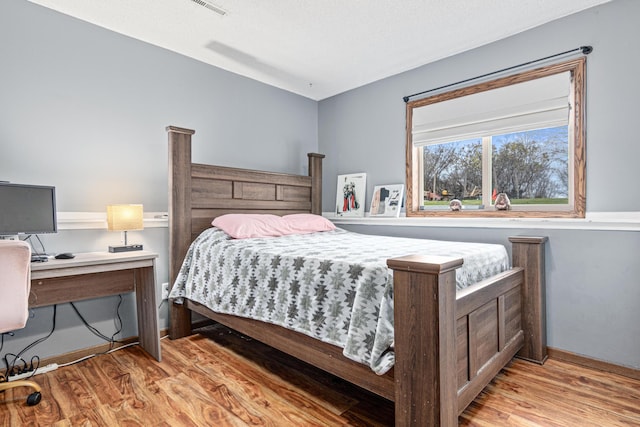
(85,109)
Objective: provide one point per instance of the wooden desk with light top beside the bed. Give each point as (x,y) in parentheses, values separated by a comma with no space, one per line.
(98,274)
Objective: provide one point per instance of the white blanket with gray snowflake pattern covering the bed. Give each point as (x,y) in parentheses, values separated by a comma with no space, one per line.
(334,285)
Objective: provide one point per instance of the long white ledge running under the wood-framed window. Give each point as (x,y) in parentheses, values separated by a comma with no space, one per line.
(612,221)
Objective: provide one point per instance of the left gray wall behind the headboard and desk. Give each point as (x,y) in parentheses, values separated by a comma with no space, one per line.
(85,109)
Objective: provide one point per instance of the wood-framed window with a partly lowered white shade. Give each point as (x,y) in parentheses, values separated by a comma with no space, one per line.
(520,135)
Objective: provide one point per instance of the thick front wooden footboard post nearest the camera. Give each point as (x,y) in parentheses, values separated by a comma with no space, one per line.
(425,340)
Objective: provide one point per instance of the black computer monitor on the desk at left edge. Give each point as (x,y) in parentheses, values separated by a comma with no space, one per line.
(27,209)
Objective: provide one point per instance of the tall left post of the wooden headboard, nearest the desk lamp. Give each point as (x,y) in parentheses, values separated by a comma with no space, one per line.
(179,220)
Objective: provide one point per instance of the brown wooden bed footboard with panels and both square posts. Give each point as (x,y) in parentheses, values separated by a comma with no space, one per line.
(448,345)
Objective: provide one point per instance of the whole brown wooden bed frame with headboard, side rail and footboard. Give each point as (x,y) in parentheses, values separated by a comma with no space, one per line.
(448,344)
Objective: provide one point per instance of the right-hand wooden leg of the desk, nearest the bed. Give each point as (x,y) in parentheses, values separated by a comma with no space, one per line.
(148,330)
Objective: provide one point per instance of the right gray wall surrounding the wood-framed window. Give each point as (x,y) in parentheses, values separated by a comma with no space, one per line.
(592,276)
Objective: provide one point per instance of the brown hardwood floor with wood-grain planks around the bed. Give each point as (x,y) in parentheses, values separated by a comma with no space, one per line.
(223,379)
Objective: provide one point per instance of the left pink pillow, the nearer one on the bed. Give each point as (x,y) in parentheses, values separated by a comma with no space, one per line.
(243,226)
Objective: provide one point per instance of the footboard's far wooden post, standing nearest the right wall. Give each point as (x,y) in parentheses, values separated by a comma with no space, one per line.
(528,253)
